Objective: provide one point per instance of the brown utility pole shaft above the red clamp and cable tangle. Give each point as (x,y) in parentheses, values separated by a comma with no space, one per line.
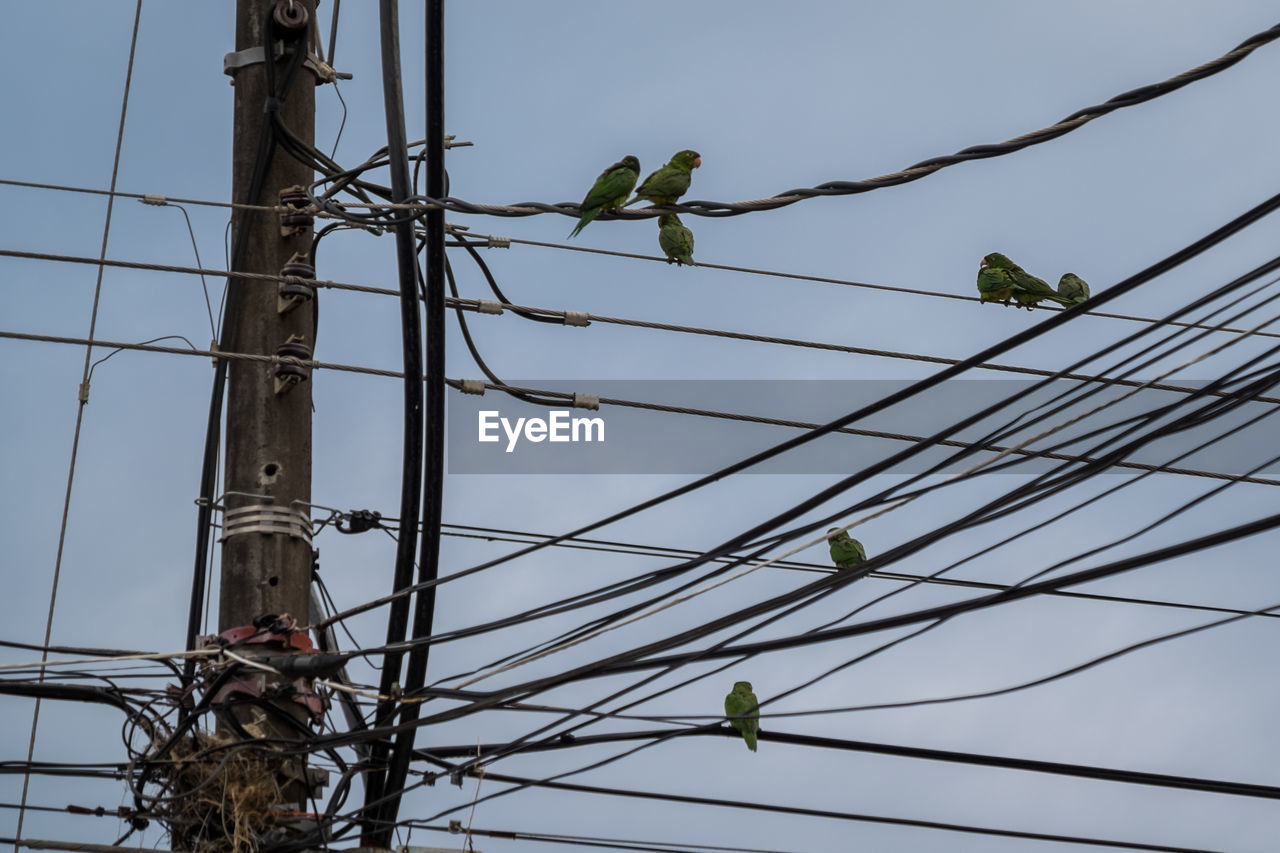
(266,565)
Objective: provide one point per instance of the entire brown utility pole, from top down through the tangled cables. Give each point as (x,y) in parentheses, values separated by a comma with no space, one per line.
(267,554)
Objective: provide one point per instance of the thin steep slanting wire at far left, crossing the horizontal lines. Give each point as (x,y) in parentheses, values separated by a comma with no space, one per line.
(80,414)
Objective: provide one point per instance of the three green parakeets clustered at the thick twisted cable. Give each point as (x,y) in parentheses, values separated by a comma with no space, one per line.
(662,188)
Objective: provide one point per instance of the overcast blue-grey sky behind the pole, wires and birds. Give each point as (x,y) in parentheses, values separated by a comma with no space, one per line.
(774,98)
